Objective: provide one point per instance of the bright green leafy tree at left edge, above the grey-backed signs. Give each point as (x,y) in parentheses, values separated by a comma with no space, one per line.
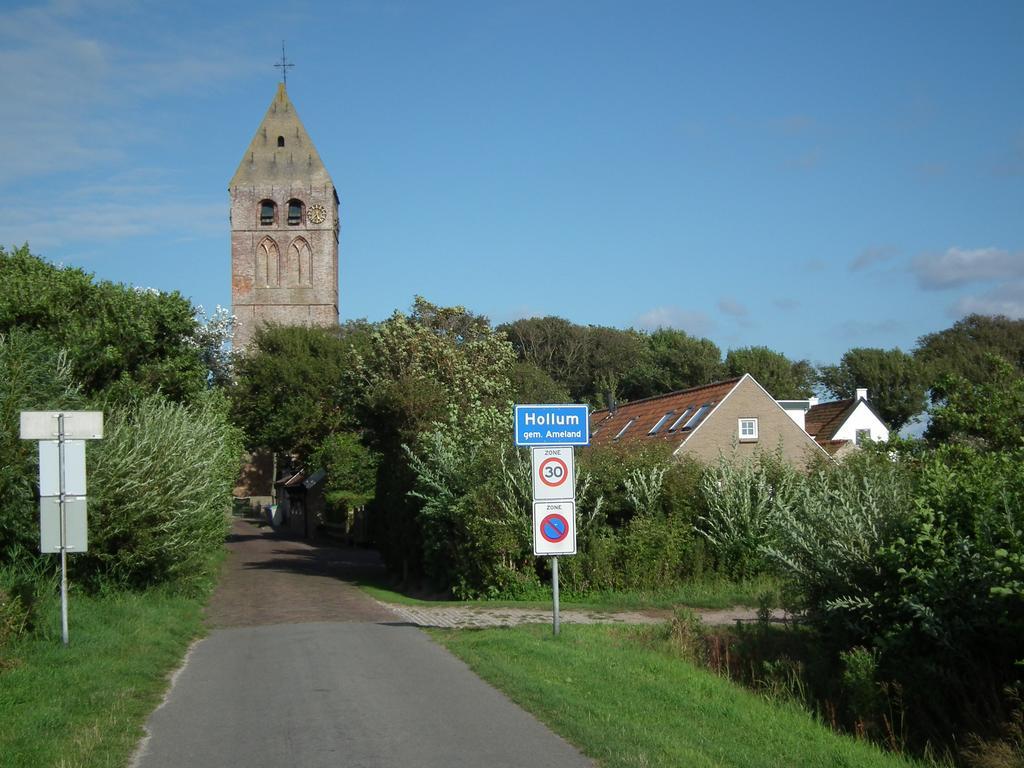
(120,342)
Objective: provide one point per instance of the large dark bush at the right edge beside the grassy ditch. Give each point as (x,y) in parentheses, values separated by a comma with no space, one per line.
(917,561)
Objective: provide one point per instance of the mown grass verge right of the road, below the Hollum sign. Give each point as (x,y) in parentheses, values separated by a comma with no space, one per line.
(629,705)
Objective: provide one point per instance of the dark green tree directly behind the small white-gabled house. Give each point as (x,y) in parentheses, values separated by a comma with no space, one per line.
(895,381)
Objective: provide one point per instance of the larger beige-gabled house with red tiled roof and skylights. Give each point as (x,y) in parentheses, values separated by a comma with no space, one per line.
(704,422)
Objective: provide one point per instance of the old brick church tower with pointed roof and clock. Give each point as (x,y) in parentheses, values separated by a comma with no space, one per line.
(284,230)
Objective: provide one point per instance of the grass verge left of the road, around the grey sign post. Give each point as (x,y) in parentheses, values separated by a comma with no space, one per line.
(84,706)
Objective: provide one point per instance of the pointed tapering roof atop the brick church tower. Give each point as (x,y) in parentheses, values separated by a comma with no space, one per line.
(280,139)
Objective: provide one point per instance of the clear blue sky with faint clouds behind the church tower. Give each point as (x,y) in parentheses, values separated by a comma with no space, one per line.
(809,177)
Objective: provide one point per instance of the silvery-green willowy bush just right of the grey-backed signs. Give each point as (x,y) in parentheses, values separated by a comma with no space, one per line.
(160,487)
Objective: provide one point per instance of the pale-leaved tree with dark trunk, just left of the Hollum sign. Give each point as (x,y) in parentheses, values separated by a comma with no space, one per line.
(438,371)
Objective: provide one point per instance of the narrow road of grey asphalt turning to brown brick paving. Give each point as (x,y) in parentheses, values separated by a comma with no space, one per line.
(303,669)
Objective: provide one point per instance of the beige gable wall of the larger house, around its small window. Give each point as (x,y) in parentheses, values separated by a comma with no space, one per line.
(720,432)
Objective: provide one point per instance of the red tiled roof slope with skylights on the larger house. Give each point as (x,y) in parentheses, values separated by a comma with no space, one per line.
(607,425)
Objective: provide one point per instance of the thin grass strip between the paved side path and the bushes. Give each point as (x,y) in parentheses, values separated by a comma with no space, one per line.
(711,593)
